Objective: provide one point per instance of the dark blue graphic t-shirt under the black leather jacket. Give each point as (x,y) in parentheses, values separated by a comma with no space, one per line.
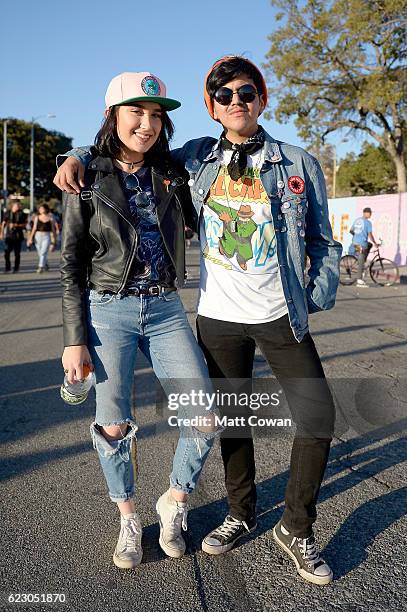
(152,264)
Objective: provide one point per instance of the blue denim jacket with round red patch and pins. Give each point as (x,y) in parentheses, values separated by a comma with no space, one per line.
(295,186)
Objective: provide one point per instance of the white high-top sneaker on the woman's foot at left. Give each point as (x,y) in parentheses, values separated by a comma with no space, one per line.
(128,551)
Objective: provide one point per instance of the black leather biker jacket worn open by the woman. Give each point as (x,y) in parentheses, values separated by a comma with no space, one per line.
(99,239)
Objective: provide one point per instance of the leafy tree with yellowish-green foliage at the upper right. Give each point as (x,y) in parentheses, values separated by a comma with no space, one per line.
(342,64)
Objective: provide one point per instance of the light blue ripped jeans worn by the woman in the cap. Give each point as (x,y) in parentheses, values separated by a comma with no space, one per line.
(118,326)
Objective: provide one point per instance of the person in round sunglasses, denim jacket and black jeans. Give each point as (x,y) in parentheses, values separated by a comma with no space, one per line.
(280,189)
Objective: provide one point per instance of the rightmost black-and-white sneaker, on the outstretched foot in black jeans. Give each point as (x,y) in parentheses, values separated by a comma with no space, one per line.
(304,553)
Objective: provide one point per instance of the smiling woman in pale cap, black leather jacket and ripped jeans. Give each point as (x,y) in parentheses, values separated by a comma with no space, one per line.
(123,255)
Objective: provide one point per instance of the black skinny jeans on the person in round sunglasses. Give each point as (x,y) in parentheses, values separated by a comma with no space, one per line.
(229,350)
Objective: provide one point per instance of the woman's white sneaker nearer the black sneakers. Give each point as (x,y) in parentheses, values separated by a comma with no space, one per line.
(173,519)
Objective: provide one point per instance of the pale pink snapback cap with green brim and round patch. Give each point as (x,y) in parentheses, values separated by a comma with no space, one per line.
(131,87)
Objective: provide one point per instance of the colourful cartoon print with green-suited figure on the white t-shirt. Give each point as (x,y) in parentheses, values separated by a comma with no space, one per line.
(238,224)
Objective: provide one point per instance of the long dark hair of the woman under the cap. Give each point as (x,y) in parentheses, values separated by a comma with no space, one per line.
(108,143)
